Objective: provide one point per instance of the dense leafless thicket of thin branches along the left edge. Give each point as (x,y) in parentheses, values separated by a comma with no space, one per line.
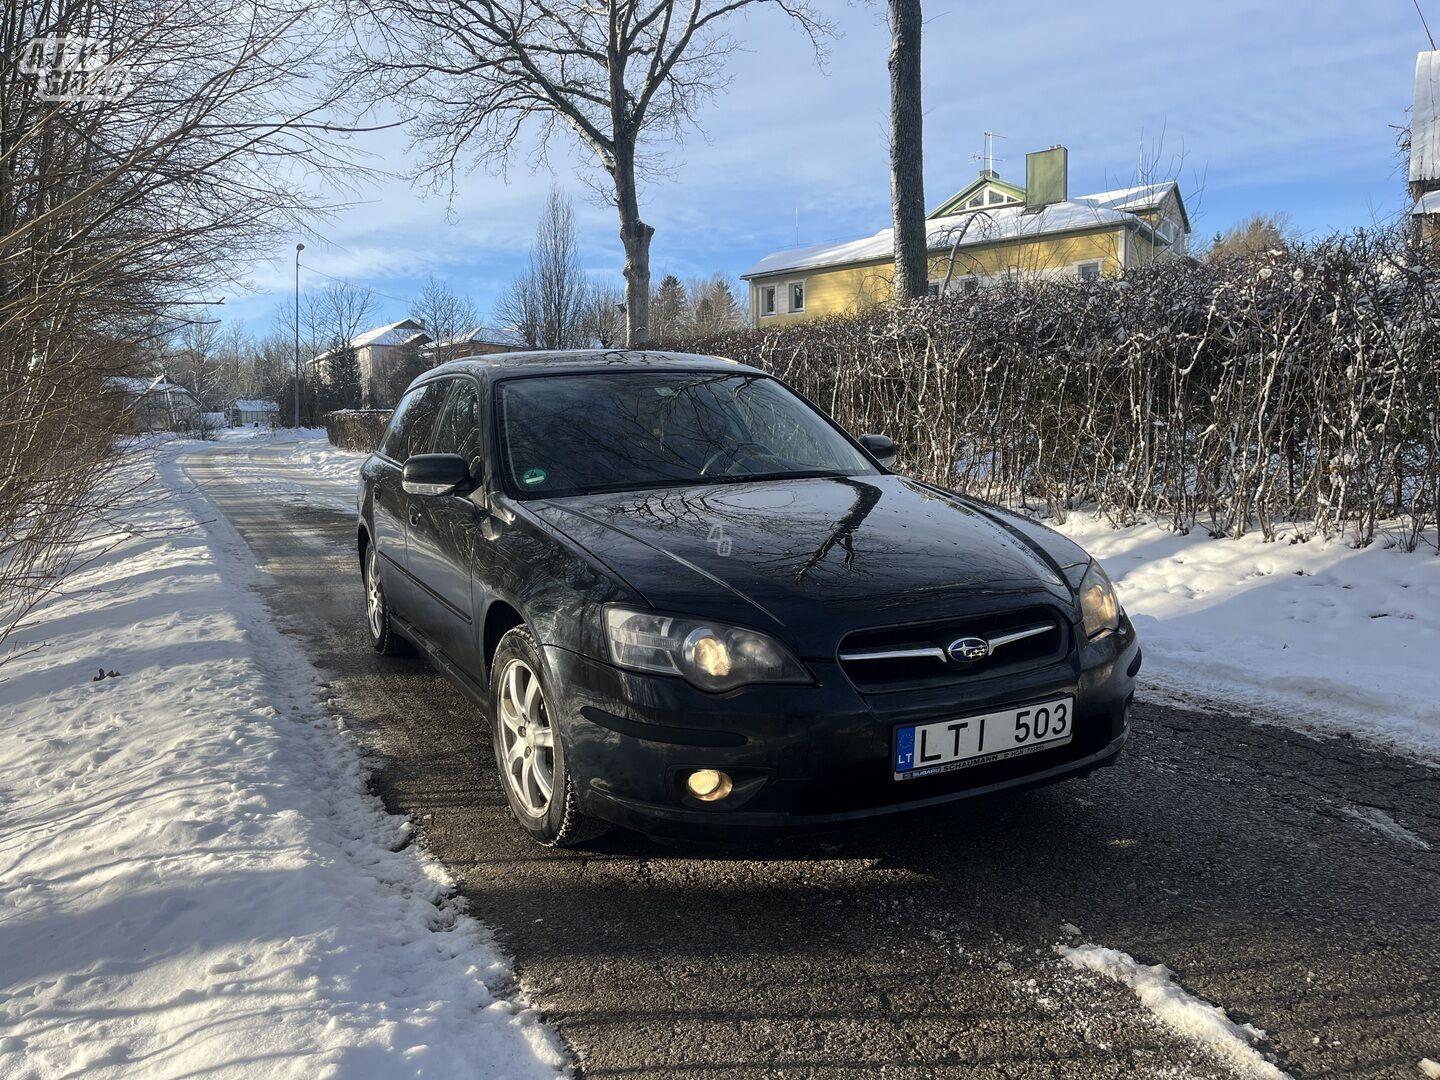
(127,191)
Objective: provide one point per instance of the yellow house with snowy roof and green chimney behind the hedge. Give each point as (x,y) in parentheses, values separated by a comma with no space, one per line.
(989,231)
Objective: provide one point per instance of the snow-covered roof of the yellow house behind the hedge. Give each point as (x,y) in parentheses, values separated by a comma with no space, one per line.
(973,228)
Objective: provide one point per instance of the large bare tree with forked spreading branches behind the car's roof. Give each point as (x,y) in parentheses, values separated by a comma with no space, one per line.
(613,73)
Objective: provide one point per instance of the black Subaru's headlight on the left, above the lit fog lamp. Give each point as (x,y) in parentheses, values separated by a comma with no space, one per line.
(712,656)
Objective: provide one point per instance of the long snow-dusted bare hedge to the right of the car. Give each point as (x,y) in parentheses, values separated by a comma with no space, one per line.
(1294,387)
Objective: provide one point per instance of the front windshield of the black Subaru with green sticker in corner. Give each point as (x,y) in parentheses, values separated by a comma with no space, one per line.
(578,434)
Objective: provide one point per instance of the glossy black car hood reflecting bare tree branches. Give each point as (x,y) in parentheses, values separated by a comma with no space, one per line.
(811,559)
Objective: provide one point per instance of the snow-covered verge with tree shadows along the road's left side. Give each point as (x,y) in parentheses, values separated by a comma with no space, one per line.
(197,879)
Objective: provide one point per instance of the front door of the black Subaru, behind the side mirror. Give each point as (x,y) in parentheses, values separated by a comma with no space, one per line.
(444,534)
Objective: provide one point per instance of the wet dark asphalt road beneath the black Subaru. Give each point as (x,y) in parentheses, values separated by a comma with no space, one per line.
(1243,856)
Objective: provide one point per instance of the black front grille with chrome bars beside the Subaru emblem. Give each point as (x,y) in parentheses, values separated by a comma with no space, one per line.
(919,656)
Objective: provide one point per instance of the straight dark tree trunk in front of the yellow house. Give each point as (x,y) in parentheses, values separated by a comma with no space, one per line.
(908,152)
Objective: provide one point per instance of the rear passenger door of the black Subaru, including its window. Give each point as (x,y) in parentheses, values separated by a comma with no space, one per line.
(411,426)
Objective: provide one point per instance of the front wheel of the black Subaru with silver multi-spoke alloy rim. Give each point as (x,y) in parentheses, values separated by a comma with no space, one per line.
(529,750)
